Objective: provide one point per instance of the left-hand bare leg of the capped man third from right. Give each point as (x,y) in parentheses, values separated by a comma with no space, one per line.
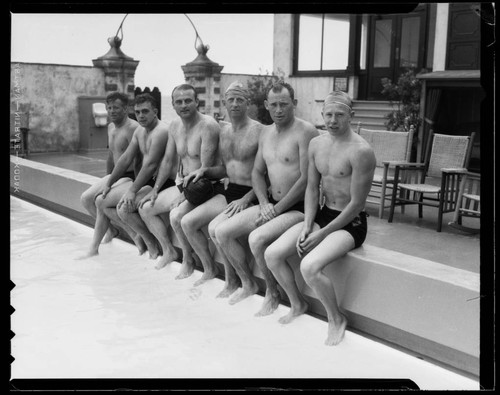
(192,224)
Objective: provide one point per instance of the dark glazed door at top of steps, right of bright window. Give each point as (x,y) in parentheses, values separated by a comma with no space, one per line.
(396,44)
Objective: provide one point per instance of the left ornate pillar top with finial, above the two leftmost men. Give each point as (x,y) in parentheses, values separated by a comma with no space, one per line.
(119,69)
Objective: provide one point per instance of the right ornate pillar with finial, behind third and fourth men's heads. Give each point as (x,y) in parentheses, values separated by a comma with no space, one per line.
(205,75)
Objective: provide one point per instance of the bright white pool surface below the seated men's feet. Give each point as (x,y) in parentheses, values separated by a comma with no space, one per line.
(116,316)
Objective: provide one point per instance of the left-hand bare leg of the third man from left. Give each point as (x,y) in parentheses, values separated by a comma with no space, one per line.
(154,217)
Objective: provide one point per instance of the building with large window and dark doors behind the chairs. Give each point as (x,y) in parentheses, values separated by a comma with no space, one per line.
(441,42)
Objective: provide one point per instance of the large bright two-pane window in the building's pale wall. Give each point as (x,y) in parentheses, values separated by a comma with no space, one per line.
(323,42)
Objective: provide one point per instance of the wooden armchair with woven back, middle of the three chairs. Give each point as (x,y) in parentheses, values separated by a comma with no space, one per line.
(435,182)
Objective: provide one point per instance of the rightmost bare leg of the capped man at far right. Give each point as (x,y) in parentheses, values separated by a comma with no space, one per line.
(334,246)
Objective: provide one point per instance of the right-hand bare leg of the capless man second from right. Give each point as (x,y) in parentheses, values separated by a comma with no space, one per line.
(259,240)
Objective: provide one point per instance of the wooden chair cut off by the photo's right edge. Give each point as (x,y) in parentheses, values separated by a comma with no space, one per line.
(468,201)
